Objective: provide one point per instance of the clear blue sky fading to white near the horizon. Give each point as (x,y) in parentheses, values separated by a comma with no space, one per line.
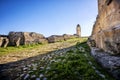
(47,17)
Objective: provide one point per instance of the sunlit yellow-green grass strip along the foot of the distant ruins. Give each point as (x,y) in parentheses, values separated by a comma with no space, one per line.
(12,49)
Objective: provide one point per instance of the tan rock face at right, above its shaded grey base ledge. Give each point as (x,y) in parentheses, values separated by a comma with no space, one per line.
(106,30)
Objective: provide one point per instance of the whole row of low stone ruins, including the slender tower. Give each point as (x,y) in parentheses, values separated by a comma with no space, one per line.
(23,38)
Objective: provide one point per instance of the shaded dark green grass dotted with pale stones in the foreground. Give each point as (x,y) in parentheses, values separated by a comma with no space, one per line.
(72,65)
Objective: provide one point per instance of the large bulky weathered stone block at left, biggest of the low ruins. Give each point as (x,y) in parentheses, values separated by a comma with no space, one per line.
(23,38)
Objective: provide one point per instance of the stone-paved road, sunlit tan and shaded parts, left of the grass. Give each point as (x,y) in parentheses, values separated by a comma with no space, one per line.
(11,64)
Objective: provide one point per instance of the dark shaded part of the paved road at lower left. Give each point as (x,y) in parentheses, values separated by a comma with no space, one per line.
(11,70)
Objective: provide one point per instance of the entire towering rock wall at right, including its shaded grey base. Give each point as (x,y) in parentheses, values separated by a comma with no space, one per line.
(105,38)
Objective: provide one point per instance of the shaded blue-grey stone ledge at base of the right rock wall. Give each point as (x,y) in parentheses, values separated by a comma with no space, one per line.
(109,62)
